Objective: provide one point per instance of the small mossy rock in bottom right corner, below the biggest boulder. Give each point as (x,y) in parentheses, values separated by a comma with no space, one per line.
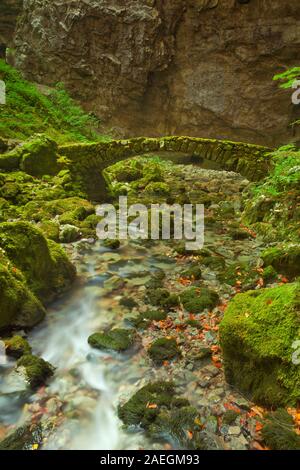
(278,432)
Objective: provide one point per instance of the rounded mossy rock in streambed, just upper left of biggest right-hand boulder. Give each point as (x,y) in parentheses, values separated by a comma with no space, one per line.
(196,299)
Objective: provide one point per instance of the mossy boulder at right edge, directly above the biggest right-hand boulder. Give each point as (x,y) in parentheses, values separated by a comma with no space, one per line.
(284,258)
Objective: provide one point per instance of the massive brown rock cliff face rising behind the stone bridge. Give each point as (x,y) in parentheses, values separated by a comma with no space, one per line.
(195,67)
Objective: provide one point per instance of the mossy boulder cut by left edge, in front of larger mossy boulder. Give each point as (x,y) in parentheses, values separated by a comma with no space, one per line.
(19,308)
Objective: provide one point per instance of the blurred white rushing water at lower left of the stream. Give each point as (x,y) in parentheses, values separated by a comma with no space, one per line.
(62,341)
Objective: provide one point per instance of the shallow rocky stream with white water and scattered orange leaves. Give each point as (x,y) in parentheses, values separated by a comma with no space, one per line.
(77,407)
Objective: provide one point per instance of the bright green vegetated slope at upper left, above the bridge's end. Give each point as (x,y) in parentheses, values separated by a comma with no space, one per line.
(30,110)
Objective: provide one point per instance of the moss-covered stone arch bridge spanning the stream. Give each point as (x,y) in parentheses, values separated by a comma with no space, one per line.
(87,161)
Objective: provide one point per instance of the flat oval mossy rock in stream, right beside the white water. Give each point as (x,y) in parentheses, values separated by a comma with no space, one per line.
(117,339)
